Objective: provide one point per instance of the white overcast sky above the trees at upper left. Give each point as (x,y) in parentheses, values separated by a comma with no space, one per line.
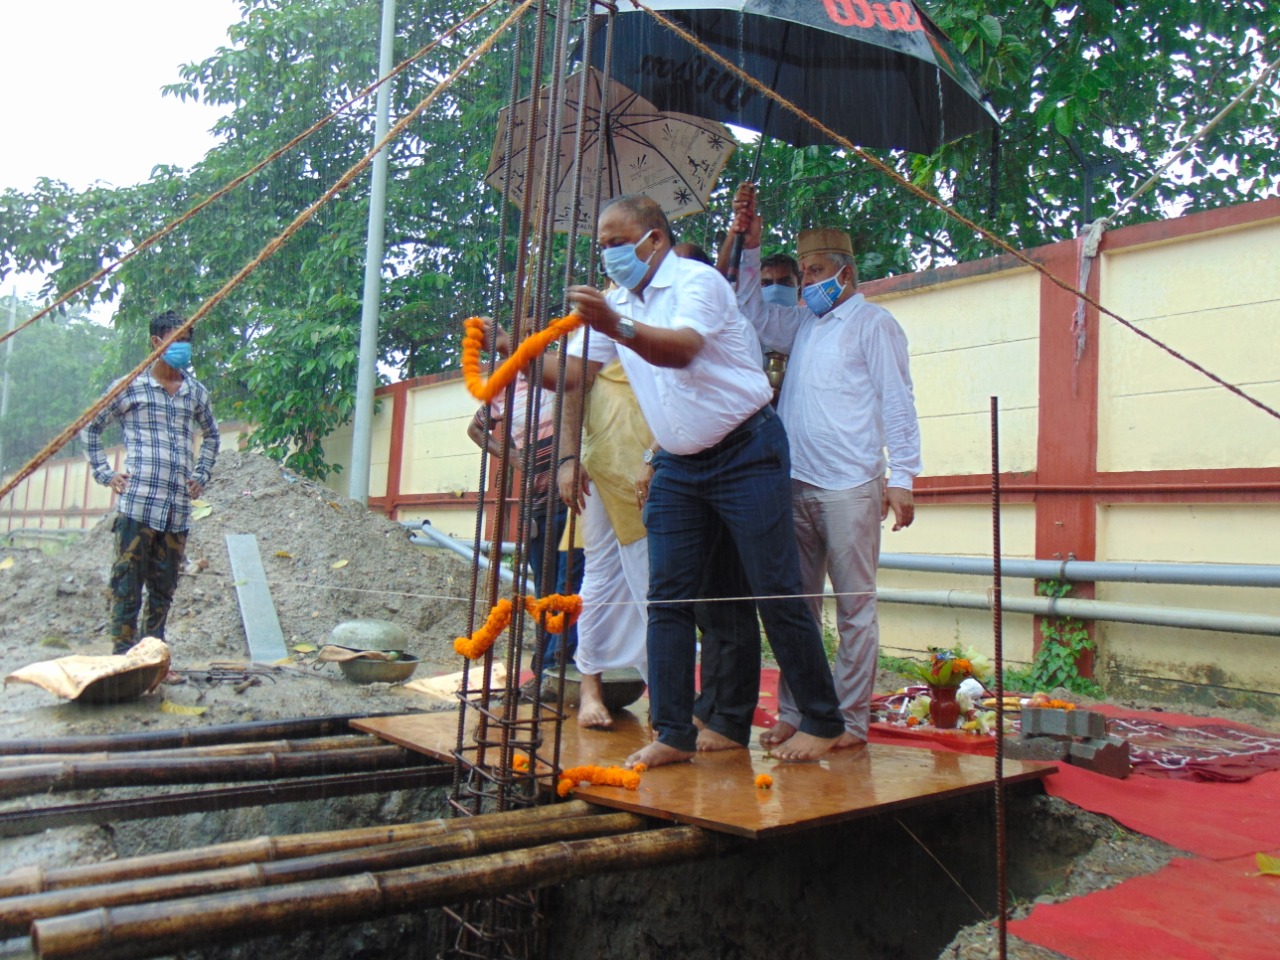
(81,83)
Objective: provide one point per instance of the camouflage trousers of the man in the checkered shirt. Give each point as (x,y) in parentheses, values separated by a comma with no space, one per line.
(144,557)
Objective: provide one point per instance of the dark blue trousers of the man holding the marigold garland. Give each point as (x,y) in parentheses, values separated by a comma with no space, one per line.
(742,484)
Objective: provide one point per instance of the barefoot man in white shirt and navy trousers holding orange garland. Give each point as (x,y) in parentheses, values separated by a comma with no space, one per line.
(724,461)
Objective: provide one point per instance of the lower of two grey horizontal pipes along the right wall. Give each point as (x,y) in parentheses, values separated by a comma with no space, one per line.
(1182,618)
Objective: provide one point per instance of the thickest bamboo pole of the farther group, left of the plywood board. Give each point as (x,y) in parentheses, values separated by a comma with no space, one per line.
(58,778)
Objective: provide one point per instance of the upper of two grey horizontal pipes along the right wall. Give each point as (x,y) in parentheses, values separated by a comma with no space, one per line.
(1096,572)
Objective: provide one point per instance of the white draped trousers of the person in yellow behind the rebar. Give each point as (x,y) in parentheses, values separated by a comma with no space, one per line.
(615,620)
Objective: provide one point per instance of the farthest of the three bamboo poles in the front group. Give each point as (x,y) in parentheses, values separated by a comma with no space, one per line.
(36,880)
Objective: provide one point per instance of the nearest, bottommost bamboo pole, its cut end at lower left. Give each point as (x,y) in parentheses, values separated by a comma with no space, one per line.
(153,930)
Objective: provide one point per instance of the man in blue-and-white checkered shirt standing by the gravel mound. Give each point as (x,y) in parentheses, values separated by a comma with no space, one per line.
(159,414)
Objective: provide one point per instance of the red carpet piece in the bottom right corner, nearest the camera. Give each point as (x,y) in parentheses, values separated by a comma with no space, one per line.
(1190,911)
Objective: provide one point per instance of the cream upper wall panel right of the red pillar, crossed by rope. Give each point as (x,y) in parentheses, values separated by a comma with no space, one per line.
(1214,299)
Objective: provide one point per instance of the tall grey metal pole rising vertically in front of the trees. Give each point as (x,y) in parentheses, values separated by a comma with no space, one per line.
(367,369)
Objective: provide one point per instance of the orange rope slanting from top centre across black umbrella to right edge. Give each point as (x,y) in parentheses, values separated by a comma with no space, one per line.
(950,212)
